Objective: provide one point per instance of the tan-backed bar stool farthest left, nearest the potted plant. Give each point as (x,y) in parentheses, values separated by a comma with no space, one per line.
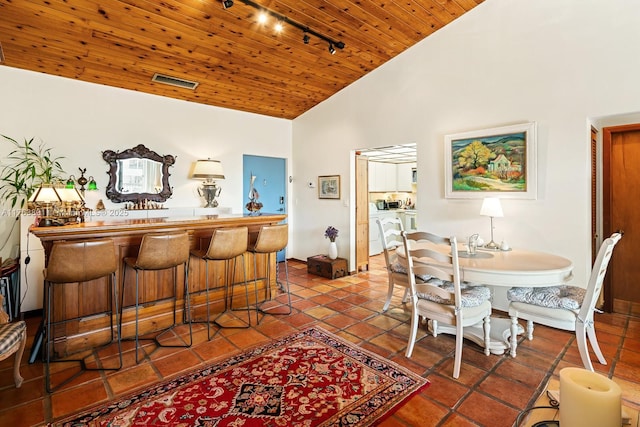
(73,262)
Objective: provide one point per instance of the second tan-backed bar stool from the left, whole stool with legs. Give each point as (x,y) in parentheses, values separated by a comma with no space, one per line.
(161,251)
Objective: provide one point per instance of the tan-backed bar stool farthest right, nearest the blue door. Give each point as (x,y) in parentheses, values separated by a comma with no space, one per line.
(271,239)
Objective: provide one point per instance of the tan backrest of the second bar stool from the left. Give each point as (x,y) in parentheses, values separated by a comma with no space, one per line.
(159,251)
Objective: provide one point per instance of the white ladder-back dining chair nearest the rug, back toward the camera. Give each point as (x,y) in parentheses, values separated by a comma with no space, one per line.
(443,298)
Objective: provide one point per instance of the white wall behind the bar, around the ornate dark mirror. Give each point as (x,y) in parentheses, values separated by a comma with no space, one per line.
(80,120)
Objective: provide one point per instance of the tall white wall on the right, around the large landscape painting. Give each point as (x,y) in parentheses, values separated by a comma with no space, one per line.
(560,64)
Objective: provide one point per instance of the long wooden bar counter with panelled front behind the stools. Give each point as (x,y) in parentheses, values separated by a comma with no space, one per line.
(82,300)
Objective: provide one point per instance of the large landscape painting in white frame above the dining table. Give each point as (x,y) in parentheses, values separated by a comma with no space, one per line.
(498,162)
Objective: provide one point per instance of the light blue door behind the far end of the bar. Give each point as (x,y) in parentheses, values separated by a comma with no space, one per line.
(270,182)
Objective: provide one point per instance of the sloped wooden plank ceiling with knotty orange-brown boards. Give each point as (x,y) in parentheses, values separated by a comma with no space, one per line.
(238,63)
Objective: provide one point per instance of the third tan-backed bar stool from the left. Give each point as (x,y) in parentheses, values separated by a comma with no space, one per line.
(227,244)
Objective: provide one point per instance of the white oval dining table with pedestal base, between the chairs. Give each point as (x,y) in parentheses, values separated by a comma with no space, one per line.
(513,268)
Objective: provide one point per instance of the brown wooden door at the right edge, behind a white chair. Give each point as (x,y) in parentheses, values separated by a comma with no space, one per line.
(621,211)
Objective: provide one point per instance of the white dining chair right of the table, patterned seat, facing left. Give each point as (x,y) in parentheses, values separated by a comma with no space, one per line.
(564,307)
